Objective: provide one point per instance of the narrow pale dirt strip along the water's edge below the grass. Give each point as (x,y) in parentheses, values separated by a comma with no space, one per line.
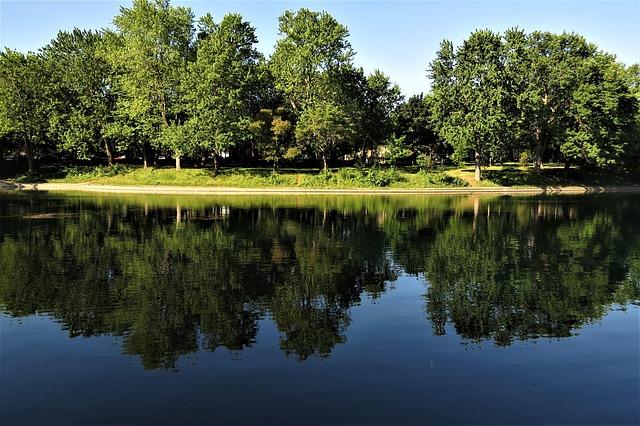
(203,190)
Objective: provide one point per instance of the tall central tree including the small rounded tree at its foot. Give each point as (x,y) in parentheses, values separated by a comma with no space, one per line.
(312,68)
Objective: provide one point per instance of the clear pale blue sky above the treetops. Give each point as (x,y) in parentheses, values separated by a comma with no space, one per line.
(400,38)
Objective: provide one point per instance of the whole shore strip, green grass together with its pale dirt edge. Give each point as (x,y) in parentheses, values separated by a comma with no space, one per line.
(348,180)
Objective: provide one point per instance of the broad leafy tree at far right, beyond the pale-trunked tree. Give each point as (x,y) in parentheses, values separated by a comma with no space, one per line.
(574,103)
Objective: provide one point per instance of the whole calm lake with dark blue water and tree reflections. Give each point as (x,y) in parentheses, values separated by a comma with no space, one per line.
(319,309)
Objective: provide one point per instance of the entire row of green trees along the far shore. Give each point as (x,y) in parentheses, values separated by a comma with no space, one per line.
(163,84)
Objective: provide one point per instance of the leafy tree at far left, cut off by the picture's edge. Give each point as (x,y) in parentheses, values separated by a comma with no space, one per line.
(24,115)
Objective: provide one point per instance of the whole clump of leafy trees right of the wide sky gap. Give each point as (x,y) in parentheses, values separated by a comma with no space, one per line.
(555,96)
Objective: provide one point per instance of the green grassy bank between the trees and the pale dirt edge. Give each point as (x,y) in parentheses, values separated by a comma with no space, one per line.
(344,178)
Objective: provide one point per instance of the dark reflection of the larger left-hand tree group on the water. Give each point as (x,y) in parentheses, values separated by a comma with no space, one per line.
(206,282)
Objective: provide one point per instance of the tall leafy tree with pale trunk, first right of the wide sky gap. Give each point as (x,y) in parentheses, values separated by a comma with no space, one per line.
(468,97)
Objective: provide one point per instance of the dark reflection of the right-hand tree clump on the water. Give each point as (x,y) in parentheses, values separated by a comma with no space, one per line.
(528,272)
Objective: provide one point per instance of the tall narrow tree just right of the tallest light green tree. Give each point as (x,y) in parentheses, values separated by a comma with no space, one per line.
(223,81)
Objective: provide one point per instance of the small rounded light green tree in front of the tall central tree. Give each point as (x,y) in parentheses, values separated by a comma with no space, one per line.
(324,127)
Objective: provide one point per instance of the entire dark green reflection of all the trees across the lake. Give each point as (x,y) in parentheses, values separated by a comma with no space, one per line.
(499,269)
